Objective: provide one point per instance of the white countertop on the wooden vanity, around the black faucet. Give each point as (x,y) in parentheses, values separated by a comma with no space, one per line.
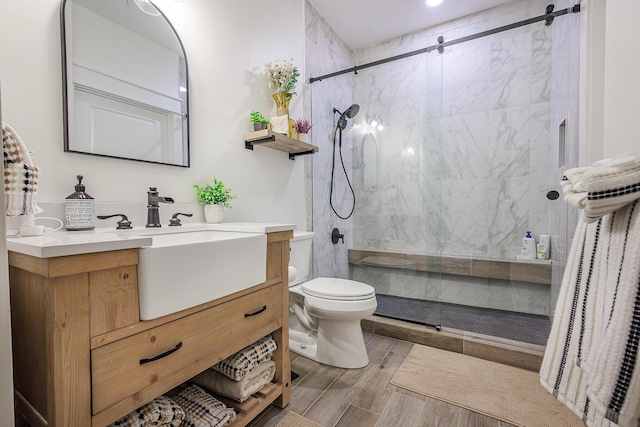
(64,243)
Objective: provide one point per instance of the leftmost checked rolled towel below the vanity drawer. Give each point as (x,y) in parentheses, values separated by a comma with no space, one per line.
(161,411)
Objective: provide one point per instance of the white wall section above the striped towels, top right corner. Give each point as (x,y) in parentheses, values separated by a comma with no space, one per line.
(621,84)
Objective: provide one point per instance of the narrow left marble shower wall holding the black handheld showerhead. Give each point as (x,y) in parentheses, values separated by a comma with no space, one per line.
(325,50)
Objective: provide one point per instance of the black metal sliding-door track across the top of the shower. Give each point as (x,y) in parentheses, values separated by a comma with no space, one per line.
(547,17)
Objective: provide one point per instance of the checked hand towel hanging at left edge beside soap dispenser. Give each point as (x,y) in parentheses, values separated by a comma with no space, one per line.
(20,176)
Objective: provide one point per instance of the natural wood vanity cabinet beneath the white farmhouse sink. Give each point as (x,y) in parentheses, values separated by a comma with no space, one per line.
(79,344)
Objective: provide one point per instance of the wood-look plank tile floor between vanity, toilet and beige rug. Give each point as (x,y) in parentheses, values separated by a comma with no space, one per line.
(365,397)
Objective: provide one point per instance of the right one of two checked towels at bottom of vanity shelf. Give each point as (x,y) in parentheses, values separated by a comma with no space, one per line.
(203,410)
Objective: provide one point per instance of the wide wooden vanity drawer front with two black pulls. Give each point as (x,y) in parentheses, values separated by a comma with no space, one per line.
(165,356)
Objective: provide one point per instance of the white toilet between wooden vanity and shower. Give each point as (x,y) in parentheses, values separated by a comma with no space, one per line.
(325,313)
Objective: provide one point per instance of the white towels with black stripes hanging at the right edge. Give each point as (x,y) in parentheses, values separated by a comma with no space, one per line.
(591,361)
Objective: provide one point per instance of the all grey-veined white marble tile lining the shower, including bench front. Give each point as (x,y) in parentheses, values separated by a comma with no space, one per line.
(467,154)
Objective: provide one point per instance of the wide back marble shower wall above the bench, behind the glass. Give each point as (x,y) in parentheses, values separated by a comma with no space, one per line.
(463,160)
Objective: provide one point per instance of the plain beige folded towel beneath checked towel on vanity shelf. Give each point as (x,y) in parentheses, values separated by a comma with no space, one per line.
(253,381)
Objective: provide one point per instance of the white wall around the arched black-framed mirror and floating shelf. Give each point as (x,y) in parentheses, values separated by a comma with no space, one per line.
(227,44)
